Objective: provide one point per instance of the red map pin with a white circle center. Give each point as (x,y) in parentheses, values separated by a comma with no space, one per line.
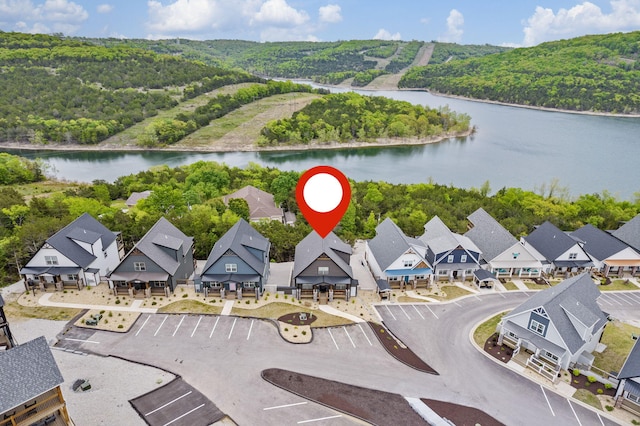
(323,194)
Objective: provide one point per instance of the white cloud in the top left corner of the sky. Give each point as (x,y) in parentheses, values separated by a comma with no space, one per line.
(51,15)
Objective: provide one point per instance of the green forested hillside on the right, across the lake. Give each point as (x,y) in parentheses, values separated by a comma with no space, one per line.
(593,73)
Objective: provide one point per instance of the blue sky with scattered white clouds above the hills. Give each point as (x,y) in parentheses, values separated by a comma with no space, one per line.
(497,22)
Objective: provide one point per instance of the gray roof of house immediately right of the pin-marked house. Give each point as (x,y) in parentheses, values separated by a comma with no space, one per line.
(390,243)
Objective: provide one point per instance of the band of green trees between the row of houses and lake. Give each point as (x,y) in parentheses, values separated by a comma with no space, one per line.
(190,197)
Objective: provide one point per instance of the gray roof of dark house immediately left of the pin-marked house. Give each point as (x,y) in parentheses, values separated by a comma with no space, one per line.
(237,239)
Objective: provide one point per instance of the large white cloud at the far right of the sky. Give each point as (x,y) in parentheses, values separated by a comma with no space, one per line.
(583,18)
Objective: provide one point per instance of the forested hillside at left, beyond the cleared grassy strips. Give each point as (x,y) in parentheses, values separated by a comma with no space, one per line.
(68,91)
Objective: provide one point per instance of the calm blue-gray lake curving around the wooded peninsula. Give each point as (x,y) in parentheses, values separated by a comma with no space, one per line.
(513,147)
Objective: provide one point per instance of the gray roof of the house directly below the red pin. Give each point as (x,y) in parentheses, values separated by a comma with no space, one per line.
(312,246)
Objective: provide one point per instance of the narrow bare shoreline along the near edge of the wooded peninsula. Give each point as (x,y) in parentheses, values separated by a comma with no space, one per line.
(379,143)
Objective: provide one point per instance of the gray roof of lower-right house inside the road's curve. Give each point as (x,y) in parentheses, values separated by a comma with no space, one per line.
(575,296)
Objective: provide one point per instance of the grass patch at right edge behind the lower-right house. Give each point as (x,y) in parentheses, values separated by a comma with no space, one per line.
(617,337)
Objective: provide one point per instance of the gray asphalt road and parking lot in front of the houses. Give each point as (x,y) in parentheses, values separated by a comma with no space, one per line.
(222,357)
